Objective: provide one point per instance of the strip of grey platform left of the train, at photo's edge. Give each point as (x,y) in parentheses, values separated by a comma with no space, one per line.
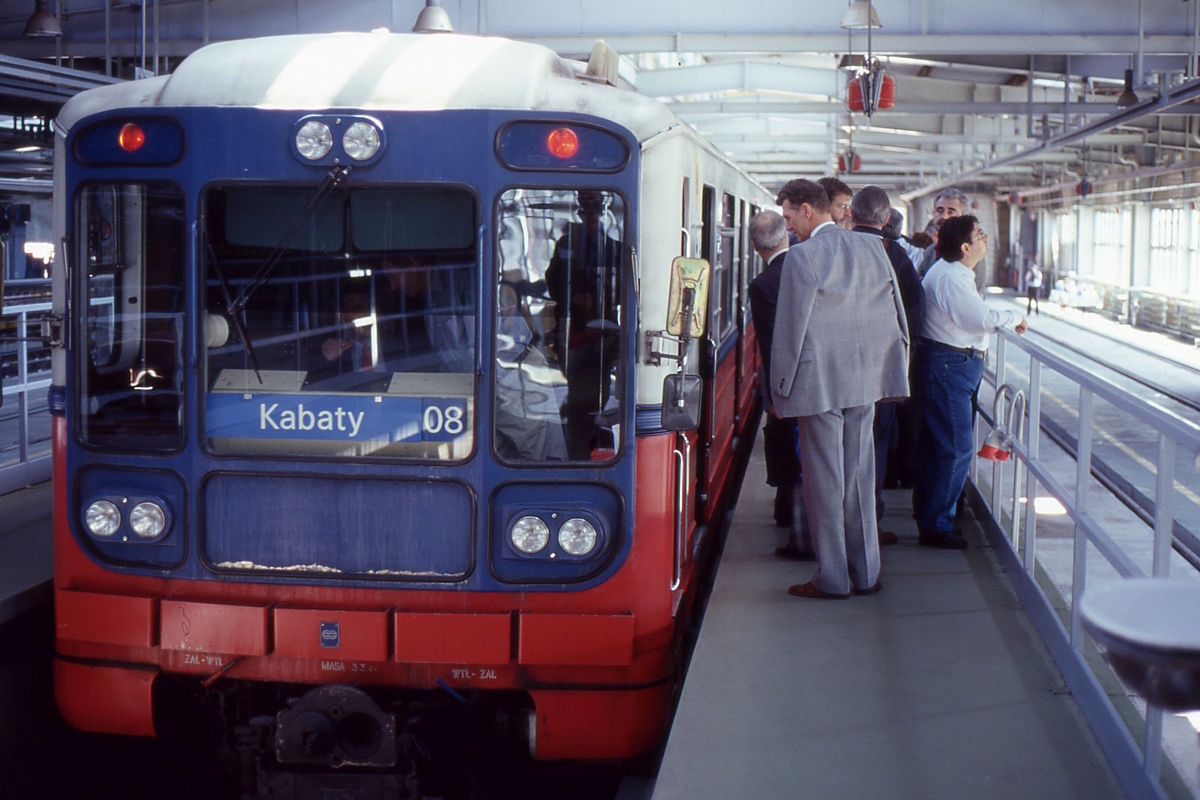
(26,550)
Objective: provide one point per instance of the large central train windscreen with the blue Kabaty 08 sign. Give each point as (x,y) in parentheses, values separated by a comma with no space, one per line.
(341,328)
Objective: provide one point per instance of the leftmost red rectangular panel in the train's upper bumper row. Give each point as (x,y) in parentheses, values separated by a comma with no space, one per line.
(105,619)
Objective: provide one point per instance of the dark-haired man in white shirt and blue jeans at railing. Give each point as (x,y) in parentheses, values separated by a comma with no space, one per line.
(950,358)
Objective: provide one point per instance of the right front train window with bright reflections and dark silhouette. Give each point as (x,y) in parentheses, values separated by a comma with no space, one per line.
(560,315)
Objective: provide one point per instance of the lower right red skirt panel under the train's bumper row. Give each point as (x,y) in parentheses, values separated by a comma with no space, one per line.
(604,725)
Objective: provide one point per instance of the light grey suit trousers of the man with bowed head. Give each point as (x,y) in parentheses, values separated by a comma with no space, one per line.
(838,458)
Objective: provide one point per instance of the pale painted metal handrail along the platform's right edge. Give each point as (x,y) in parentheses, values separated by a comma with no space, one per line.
(1173,431)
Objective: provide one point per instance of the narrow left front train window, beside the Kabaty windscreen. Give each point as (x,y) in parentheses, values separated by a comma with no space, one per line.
(133,240)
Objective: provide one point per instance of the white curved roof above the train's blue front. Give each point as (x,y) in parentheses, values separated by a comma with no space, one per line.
(380,71)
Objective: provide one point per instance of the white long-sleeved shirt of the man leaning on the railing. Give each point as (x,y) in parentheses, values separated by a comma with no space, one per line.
(956,315)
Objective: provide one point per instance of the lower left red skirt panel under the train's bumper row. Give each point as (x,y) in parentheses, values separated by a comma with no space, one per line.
(105,700)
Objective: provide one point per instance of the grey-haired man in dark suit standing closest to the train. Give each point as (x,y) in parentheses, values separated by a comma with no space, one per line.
(769,233)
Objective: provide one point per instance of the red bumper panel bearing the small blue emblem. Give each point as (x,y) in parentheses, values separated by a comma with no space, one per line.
(323,634)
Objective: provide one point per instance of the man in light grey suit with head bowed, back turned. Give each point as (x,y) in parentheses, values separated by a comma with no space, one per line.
(841,345)
